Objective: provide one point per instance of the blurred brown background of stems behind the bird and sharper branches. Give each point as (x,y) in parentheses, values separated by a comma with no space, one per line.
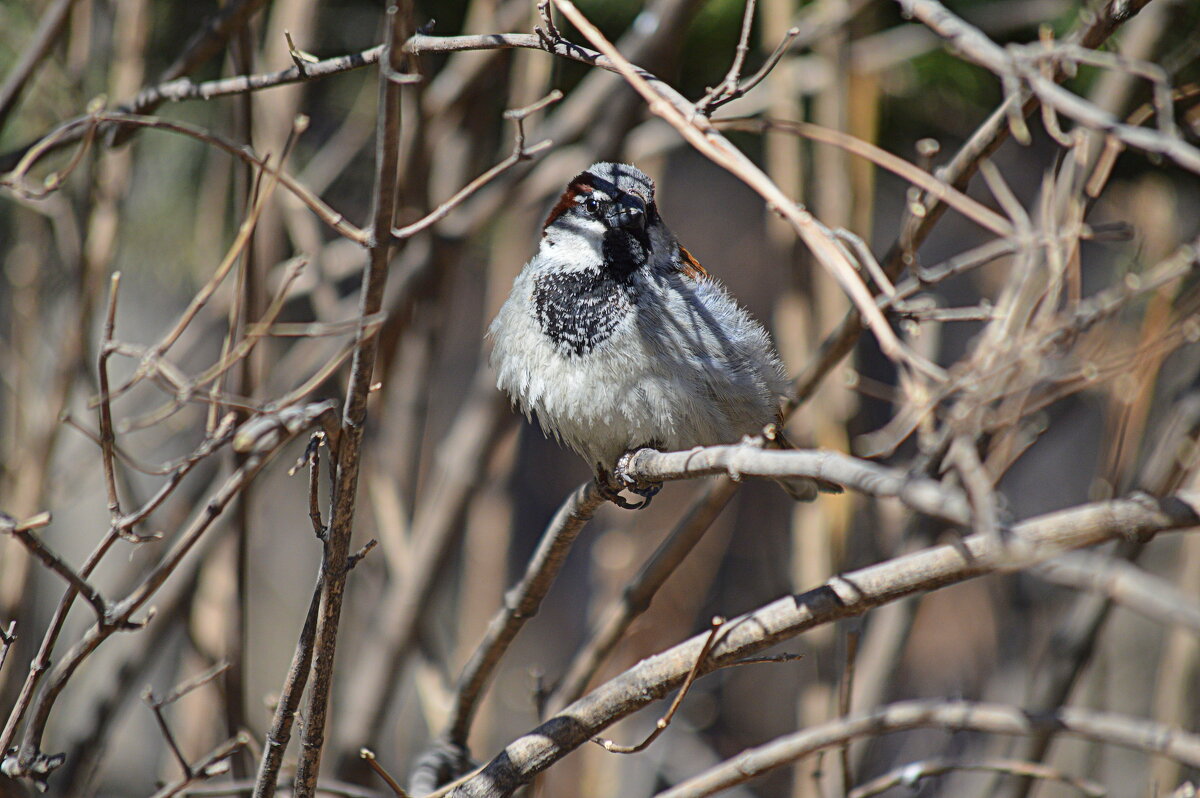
(458,488)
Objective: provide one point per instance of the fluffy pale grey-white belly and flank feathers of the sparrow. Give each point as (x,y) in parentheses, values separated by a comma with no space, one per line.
(661,386)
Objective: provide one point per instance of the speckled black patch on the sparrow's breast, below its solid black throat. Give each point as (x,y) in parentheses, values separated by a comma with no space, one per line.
(580,310)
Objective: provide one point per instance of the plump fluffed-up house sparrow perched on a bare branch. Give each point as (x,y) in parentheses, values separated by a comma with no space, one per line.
(617,339)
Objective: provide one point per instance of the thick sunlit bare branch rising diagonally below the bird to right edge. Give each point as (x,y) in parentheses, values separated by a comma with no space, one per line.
(847,596)
